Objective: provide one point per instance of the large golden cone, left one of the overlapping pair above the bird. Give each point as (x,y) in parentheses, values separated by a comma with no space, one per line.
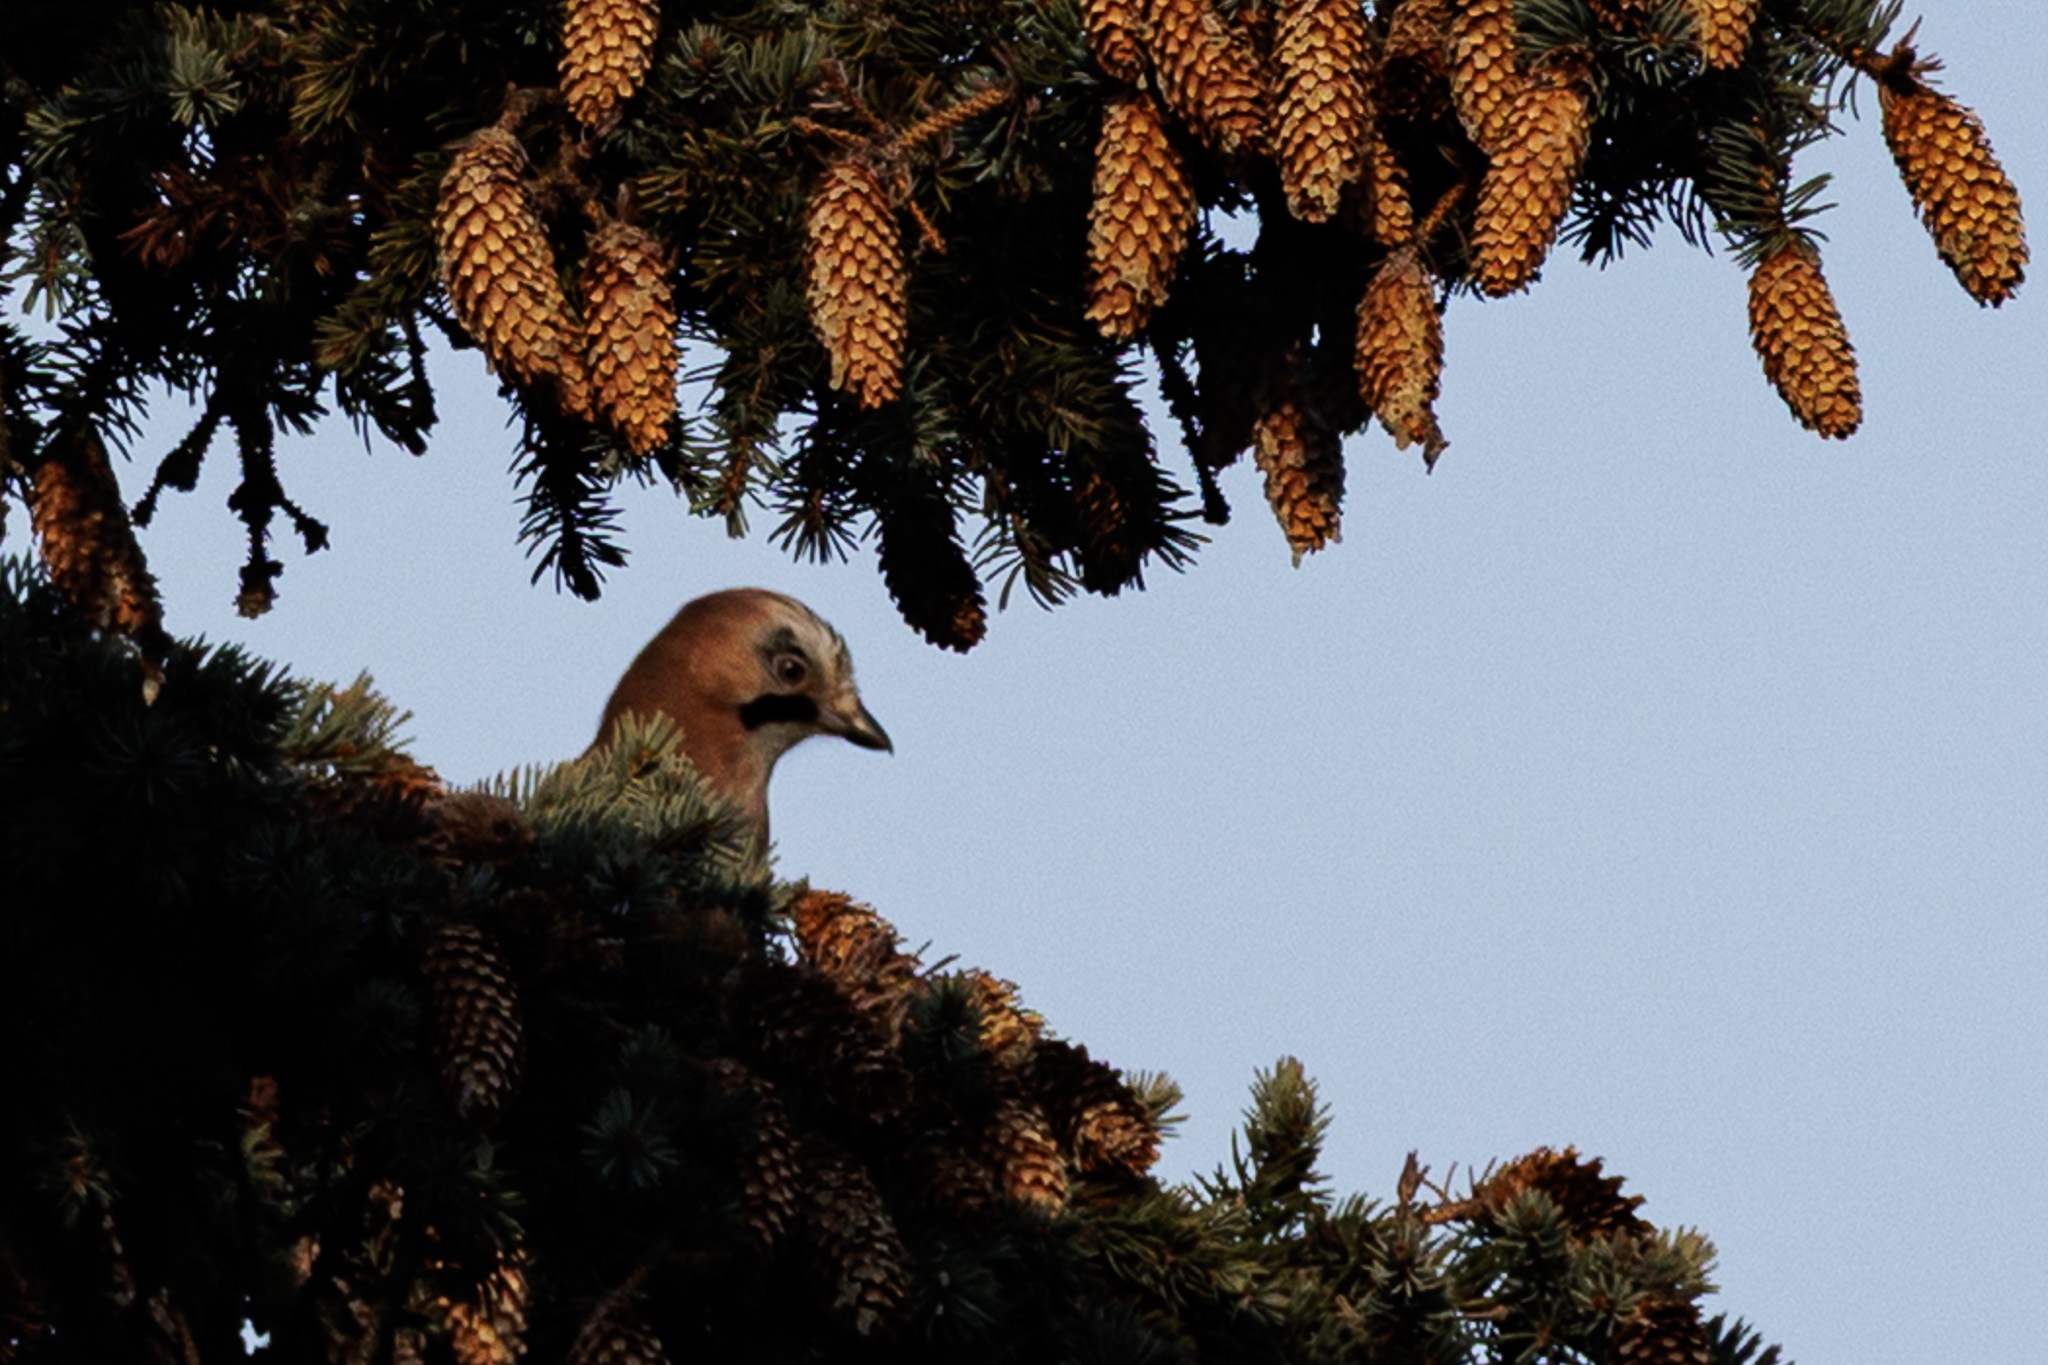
(501,271)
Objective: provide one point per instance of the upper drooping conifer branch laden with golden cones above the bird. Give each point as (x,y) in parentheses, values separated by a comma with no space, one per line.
(929,249)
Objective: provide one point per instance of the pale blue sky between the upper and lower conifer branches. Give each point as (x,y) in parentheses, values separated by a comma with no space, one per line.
(1656,777)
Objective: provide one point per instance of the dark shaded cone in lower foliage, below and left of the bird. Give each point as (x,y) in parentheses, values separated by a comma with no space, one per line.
(478,1026)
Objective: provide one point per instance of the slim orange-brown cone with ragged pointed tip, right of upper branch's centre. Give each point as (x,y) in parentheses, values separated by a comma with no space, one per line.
(1402,353)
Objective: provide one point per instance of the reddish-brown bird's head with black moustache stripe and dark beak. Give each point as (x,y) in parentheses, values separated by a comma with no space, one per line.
(746,674)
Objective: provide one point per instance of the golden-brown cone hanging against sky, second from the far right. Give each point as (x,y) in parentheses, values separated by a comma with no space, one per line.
(1805,349)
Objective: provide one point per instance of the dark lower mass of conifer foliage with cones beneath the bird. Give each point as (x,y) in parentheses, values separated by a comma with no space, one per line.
(304,1043)
